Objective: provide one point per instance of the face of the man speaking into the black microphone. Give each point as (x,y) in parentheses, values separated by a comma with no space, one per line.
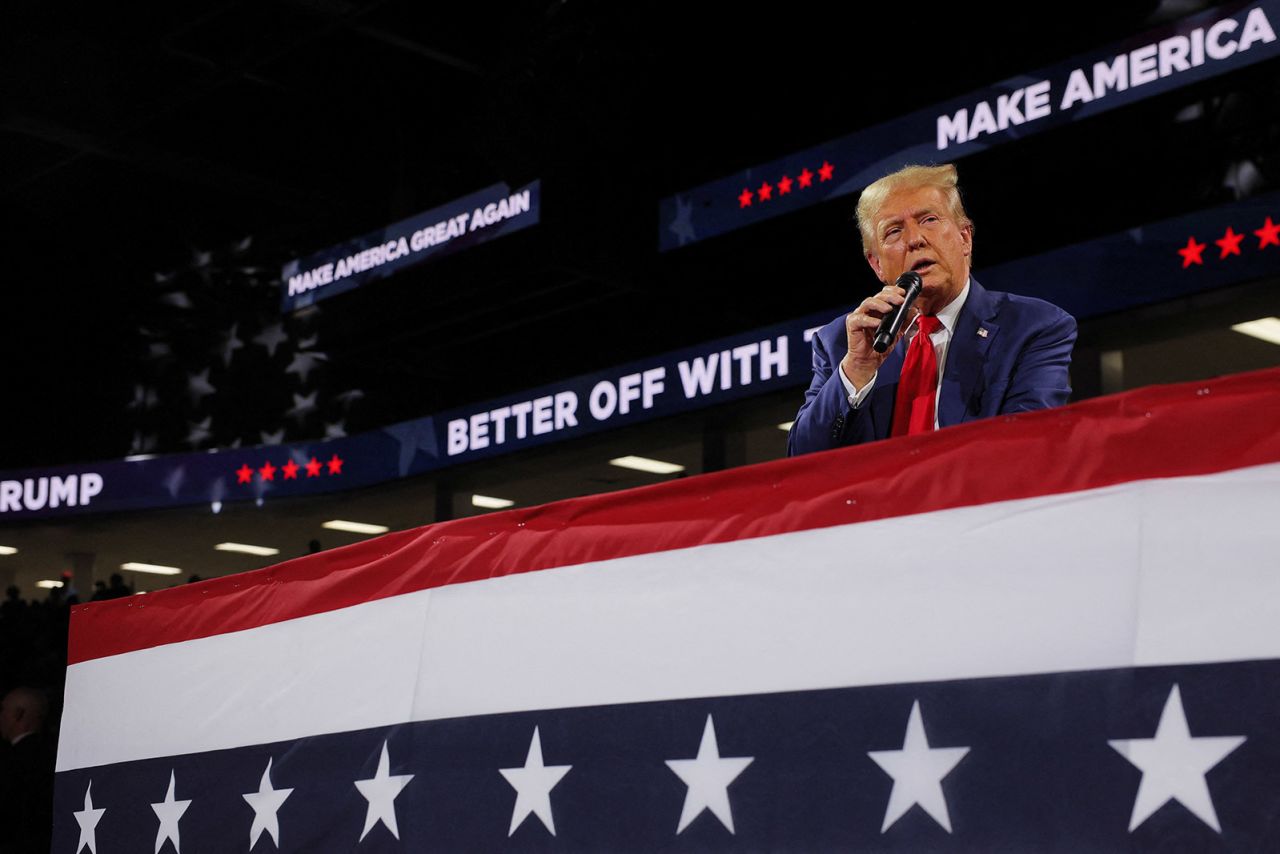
(915,231)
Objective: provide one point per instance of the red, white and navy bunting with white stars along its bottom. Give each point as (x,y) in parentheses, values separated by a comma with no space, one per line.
(1055,632)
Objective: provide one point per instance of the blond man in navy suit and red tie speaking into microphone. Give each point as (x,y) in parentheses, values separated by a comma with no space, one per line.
(962,354)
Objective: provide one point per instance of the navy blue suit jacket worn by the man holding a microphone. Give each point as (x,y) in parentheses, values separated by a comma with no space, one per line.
(1009,354)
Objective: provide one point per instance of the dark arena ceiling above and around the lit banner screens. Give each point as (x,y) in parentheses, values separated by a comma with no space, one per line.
(161,163)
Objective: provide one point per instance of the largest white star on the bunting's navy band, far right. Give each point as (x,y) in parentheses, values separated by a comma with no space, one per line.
(1174,764)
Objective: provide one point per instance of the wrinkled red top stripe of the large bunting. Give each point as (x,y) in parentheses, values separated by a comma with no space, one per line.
(1160,432)
